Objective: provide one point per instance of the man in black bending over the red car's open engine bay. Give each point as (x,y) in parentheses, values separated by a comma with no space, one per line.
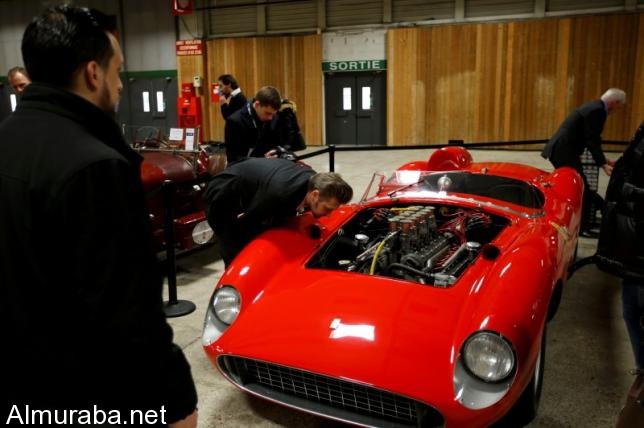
(254,194)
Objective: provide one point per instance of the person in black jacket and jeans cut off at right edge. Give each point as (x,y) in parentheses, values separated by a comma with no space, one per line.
(620,249)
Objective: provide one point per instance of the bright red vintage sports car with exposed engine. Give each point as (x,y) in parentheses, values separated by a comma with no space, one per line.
(425,305)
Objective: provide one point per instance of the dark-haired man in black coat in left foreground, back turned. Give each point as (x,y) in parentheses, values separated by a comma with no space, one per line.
(81,309)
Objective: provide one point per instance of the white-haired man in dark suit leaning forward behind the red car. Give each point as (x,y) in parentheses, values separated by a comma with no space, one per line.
(582,130)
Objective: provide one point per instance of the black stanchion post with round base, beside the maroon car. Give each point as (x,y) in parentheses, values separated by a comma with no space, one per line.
(173,307)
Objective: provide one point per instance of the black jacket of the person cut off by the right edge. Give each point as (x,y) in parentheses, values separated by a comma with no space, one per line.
(620,249)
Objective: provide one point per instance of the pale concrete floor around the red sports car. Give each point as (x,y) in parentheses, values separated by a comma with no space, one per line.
(588,354)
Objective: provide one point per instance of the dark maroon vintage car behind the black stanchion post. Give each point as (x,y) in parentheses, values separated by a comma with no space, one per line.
(188,172)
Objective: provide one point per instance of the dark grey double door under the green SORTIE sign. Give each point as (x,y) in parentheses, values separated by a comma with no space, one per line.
(355,108)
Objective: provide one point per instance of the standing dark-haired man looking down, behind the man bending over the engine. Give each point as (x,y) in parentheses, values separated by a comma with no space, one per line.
(247,130)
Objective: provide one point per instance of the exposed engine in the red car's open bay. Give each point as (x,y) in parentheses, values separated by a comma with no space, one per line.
(425,244)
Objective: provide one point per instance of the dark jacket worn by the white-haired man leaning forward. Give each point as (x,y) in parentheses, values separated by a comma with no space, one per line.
(581,129)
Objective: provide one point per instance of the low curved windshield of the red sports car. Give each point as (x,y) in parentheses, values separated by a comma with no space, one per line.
(476,184)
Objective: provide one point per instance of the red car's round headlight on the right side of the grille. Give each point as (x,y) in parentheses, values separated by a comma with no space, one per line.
(488,356)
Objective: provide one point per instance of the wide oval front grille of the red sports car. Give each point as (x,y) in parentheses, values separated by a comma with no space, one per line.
(329,396)
